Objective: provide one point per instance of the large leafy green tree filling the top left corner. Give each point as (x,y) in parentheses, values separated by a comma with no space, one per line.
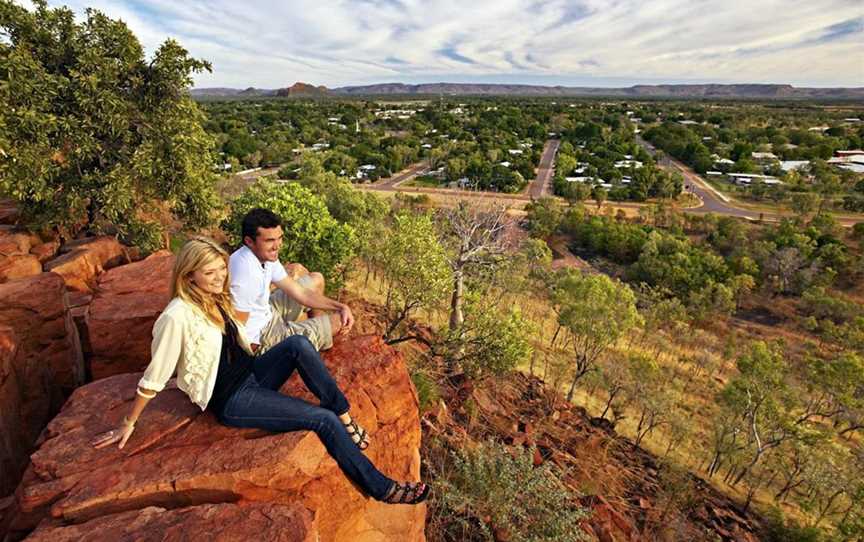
(92,134)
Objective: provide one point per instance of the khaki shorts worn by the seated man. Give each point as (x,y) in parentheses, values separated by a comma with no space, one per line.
(284,322)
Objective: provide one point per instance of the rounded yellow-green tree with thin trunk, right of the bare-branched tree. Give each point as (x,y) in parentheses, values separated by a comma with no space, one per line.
(596,311)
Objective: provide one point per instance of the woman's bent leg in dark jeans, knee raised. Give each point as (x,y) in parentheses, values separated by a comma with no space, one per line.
(273,368)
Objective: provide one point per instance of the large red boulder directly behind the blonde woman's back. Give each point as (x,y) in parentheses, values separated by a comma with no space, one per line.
(127,301)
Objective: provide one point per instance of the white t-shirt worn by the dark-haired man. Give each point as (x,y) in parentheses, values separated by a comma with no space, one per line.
(250,288)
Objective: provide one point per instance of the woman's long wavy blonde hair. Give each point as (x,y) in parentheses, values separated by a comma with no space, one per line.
(195,254)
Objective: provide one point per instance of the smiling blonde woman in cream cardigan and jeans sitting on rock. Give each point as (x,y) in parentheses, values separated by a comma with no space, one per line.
(199,337)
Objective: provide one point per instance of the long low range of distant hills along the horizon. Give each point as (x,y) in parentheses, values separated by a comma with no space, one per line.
(753,91)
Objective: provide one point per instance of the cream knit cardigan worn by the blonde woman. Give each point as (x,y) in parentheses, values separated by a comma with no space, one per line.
(185,341)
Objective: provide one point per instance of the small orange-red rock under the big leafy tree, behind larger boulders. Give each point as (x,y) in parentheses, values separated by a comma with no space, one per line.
(83,260)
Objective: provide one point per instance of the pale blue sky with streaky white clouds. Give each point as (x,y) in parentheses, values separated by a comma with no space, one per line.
(614,43)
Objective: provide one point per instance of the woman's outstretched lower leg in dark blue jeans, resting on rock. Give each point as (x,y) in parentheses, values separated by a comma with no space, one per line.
(263,408)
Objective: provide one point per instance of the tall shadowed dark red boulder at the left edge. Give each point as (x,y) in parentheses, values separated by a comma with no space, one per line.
(39,361)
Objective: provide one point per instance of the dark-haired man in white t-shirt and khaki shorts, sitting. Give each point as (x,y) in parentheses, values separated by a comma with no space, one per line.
(270,318)
